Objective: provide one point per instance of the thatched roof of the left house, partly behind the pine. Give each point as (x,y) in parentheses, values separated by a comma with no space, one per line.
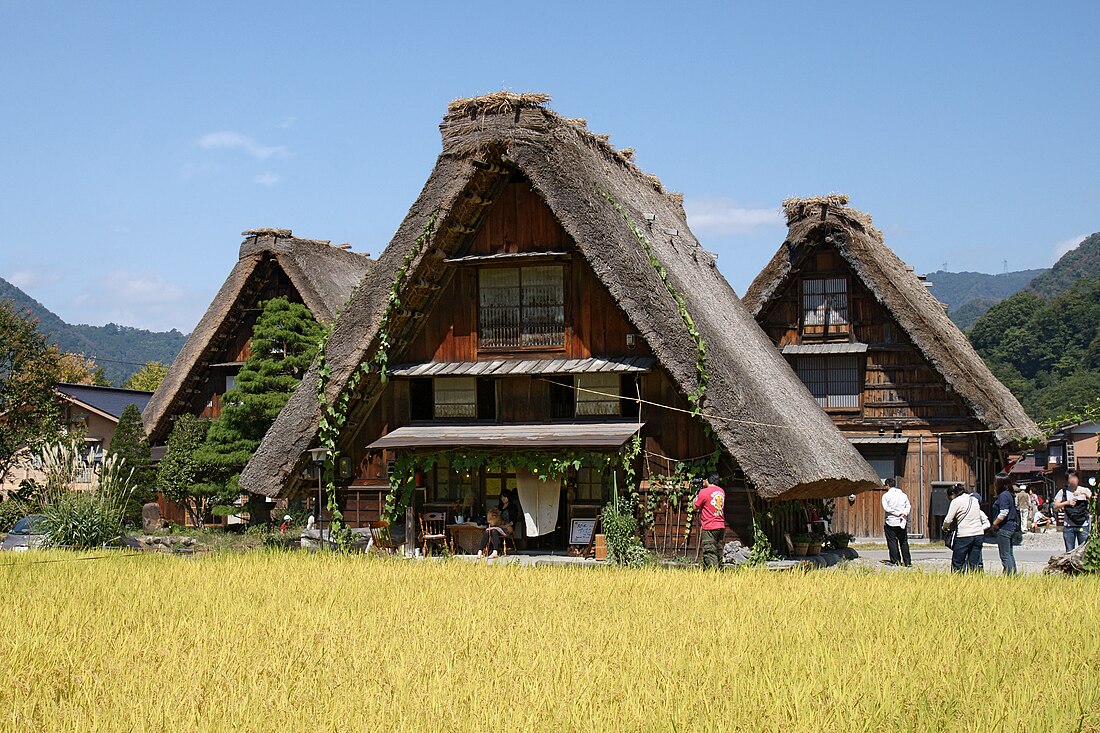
(324,276)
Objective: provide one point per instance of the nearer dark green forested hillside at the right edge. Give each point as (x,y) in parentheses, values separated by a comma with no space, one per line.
(1044,343)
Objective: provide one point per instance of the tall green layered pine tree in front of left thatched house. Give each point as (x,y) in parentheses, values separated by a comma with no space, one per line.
(284,344)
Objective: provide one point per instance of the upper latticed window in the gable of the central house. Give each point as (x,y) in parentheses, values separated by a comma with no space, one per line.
(522,308)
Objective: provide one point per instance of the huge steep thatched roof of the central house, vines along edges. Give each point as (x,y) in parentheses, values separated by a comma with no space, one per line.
(752,388)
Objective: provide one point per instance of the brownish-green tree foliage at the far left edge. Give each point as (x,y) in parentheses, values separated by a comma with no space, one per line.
(29,411)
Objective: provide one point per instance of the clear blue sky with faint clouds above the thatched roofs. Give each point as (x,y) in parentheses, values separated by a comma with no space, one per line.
(139,140)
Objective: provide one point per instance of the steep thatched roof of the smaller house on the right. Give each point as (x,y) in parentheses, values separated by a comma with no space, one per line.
(813,222)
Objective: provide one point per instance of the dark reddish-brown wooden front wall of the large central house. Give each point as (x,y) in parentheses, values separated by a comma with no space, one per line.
(520,231)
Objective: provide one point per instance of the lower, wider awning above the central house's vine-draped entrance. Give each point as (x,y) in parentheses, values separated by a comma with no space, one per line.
(573,435)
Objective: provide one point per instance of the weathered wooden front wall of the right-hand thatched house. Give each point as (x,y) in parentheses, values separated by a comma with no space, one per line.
(895,406)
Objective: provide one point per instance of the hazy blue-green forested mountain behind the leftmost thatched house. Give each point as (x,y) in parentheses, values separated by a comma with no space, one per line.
(120,351)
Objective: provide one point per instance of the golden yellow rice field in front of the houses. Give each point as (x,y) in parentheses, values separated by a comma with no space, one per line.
(292,642)
